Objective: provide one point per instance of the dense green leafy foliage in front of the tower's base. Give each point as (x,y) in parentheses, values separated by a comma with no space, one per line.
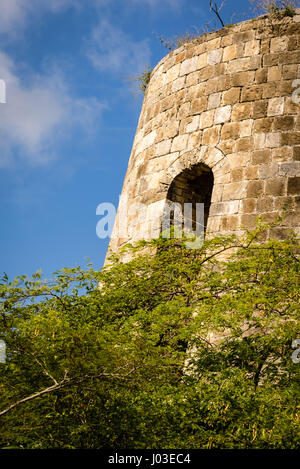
(178,348)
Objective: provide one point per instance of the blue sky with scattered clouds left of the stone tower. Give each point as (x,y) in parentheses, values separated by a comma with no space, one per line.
(68,125)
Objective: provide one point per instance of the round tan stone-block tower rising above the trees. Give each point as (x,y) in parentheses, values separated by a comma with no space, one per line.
(220,124)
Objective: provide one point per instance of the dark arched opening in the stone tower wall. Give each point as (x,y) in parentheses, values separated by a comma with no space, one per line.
(191,187)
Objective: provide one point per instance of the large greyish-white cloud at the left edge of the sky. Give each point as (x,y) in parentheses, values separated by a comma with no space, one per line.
(36,118)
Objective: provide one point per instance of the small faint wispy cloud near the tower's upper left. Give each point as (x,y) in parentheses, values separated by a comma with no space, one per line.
(110,49)
